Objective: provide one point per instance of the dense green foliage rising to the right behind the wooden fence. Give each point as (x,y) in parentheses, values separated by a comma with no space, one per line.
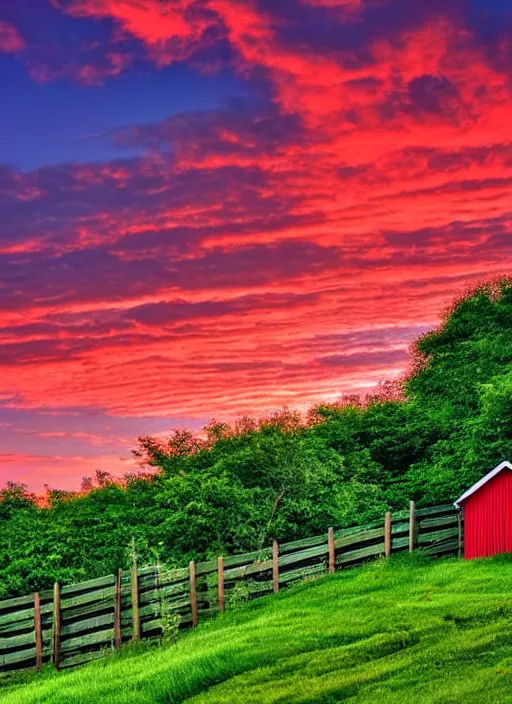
(234,487)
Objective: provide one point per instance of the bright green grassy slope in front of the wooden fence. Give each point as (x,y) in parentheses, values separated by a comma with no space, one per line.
(409,630)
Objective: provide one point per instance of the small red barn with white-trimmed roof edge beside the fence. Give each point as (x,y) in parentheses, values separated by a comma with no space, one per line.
(487,508)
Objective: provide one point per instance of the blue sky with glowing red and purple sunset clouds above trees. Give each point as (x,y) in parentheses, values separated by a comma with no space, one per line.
(211,208)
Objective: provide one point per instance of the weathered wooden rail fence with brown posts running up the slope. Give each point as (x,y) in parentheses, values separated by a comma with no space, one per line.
(74,624)
